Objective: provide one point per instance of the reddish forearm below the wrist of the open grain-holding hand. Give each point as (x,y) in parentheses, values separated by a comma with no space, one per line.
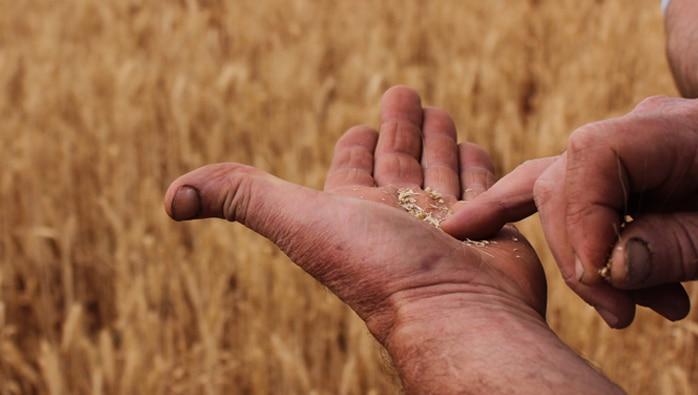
(486,347)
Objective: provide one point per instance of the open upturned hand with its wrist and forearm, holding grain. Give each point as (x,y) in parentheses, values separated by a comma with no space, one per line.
(453,315)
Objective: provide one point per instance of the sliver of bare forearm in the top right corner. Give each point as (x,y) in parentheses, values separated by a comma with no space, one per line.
(682,44)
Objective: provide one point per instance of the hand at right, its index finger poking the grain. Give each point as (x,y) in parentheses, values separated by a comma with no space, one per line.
(642,167)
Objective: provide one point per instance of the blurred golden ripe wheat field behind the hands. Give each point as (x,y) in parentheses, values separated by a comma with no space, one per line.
(104,103)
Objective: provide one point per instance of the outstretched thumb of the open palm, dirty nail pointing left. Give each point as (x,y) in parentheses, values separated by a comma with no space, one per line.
(266,204)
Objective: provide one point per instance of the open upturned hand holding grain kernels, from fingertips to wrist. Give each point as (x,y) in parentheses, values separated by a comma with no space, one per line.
(372,236)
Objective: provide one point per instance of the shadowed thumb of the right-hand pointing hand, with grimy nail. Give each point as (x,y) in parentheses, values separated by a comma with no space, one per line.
(656,249)
